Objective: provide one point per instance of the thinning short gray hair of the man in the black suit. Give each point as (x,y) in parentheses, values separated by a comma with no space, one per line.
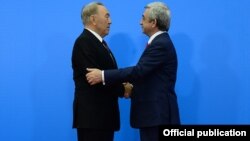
(88,10)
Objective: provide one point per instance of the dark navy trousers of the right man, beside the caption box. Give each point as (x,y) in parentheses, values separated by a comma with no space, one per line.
(149,133)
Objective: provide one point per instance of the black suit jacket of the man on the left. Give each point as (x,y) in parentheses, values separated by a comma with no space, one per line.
(94,106)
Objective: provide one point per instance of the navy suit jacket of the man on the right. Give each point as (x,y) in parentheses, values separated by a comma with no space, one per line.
(153,100)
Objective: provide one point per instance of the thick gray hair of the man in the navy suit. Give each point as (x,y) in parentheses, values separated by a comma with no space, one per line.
(160,12)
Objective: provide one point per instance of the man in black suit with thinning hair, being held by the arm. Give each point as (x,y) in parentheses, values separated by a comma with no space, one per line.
(95,108)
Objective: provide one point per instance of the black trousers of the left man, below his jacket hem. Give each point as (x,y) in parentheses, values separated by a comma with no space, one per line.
(84,134)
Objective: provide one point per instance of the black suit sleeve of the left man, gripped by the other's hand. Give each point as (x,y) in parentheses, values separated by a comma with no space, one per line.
(85,56)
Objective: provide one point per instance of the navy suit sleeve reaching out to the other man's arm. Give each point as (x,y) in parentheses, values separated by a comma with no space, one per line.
(150,60)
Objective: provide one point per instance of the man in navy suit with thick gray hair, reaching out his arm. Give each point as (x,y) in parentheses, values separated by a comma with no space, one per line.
(153,100)
